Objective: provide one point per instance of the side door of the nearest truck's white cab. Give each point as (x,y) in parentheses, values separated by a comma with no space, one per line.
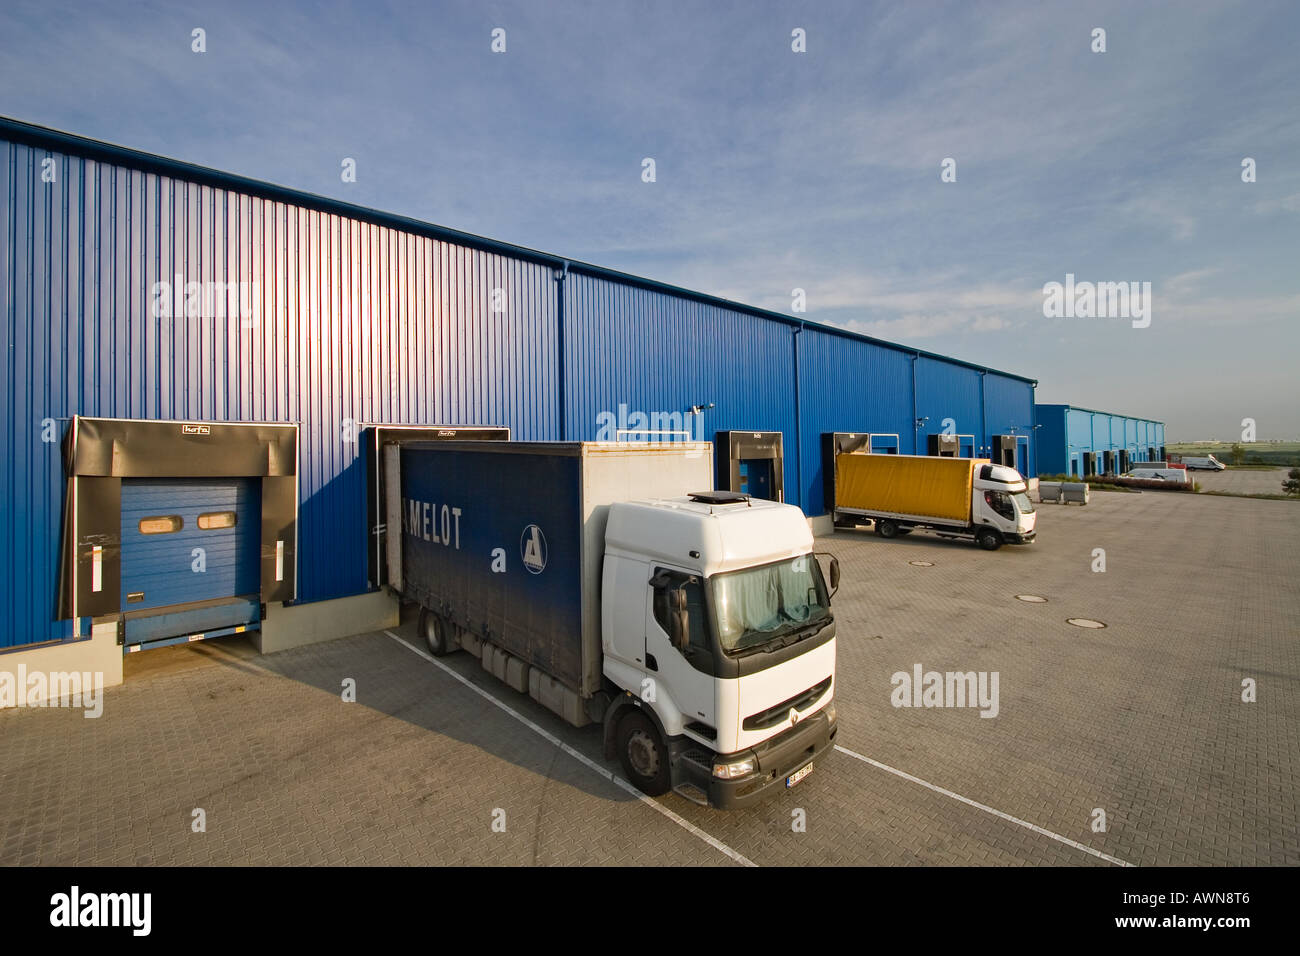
(683,678)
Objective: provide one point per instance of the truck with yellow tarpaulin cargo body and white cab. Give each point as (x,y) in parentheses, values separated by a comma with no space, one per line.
(955,498)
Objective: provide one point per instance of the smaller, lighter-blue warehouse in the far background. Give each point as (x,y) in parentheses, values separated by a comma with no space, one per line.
(1086,442)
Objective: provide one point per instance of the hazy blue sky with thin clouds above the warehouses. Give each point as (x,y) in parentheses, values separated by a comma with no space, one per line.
(777,170)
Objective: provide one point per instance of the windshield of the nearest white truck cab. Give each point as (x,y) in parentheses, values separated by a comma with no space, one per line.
(760,604)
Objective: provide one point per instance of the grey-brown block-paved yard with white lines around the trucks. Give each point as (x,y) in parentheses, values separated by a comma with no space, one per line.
(1142,720)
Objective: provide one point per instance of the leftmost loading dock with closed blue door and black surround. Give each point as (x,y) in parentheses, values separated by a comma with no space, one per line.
(177,531)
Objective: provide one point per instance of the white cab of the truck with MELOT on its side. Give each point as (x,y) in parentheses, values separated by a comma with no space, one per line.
(716,607)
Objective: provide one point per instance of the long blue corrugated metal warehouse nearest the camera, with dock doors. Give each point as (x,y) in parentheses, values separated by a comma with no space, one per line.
(171,325)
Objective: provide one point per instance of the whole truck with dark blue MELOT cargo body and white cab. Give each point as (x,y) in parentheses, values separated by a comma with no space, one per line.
(696,628)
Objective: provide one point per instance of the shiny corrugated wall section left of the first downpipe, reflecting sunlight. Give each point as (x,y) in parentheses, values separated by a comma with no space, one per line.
(349,322)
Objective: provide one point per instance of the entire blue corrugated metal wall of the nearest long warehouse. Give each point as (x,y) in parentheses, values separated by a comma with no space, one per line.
(369,319)
